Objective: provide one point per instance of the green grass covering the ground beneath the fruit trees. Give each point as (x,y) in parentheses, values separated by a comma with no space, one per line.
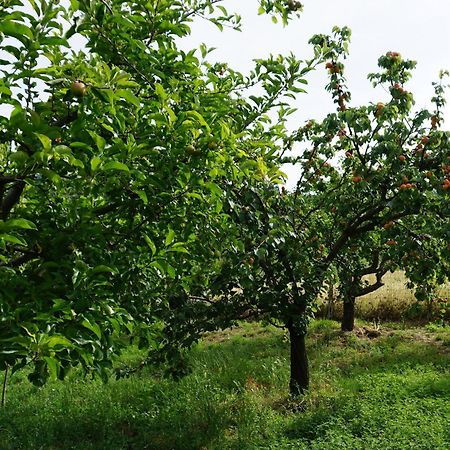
(392,392)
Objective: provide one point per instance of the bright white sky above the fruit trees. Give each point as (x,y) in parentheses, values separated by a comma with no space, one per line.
(419,30)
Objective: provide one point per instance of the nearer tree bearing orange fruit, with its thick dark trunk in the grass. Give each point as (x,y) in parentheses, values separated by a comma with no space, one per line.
(361,168)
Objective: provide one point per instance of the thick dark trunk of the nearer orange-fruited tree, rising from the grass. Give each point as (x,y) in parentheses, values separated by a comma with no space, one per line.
(299,381)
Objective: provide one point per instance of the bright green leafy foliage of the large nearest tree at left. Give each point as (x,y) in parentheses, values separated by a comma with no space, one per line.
(114,178)
